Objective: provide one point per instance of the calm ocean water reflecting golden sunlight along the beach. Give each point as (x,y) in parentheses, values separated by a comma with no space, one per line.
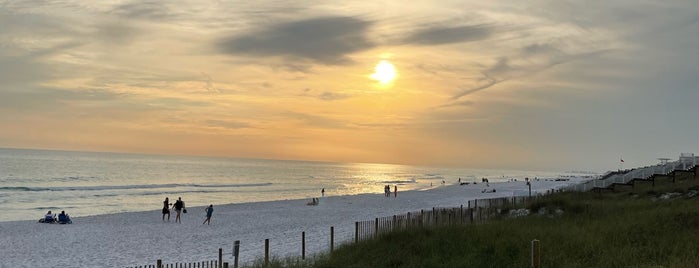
(93,183)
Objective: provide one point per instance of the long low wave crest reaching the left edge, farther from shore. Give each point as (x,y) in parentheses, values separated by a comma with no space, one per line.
(128,187)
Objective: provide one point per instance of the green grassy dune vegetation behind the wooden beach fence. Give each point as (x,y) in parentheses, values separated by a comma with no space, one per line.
(631,227)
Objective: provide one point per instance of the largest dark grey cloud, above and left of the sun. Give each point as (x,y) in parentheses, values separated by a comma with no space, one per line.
(328,40)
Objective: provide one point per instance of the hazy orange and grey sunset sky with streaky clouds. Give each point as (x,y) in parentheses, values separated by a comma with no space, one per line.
(529,85)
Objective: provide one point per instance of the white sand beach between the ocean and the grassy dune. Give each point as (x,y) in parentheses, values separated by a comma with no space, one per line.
(140,238)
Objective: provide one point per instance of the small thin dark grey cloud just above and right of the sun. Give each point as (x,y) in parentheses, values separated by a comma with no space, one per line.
(448,35)
